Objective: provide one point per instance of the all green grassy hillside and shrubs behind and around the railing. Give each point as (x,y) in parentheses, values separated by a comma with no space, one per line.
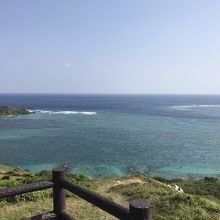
(200,199)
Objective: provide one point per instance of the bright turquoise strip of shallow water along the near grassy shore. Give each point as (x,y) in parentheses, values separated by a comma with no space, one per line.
(189,173)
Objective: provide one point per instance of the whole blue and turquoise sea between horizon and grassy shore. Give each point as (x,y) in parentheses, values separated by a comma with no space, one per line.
(103,135)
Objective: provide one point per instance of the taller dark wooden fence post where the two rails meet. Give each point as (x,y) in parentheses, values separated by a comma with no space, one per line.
(59,204)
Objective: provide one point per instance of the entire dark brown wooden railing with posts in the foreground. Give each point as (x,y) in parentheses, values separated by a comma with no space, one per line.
(138,209)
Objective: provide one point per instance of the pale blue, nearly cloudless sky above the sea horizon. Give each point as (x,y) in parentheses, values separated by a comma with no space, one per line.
(114,46)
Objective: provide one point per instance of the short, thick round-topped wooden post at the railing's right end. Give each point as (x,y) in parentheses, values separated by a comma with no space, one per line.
(139,210)
